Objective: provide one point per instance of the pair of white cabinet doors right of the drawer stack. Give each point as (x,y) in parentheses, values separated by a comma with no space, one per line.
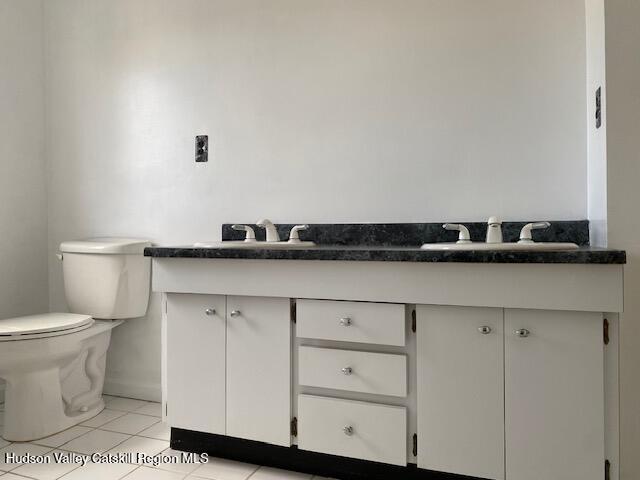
(510,393)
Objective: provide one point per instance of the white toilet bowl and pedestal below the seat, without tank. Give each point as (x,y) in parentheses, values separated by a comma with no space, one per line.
(39,401)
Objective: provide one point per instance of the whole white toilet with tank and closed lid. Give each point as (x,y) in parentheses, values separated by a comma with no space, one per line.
(54,363)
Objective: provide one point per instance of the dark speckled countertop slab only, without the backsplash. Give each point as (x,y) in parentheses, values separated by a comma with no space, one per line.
(583,255)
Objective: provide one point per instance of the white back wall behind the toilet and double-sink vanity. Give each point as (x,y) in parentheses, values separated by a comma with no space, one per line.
(333,111)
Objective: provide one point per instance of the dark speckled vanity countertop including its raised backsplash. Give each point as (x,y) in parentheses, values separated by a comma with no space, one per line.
(399,242)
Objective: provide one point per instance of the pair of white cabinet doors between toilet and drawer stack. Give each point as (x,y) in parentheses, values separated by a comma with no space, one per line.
(228,365)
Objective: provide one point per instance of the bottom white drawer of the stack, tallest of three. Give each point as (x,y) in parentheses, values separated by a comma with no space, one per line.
(348,428)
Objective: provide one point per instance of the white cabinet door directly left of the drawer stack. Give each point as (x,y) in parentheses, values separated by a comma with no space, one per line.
(259,369)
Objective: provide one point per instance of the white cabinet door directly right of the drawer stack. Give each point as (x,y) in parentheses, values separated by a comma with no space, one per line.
(460,390)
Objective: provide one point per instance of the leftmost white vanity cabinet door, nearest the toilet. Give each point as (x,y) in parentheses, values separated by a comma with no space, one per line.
(196,362)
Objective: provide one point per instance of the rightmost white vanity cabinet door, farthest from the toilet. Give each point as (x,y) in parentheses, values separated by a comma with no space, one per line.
(554,395)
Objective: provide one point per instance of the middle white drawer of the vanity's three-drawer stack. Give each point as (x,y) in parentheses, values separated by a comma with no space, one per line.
(378,373)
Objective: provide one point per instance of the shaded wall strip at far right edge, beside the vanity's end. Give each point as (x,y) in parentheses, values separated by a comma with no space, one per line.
(623,172)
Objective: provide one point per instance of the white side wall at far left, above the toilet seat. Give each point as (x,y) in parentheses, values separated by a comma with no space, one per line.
(23,221)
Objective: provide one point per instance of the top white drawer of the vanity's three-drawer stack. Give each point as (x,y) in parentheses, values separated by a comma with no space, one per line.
(362,322)
